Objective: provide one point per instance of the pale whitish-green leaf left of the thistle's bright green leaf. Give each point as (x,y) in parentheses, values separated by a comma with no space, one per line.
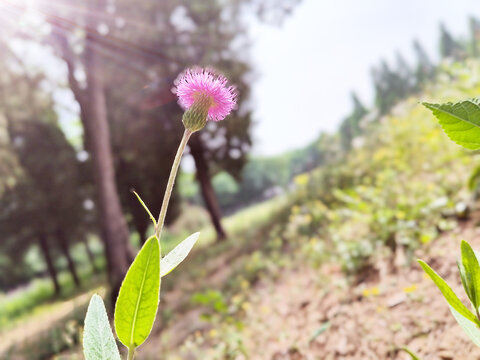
(98,341)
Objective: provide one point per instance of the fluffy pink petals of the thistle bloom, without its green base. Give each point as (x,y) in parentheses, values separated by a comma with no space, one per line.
(208,87)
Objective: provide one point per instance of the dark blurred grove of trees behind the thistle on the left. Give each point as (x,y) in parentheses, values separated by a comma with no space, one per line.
(121,60)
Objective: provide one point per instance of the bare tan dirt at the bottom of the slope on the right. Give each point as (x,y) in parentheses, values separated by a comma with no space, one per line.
(298,317)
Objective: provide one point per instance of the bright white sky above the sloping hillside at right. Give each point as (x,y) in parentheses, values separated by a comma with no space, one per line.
(307,68)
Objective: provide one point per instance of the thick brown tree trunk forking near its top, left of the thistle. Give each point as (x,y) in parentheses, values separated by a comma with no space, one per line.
(93,111)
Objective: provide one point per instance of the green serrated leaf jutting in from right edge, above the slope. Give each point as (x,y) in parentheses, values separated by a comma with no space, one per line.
(460,121)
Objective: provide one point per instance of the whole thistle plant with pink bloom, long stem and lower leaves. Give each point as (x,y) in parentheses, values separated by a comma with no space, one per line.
(205,96)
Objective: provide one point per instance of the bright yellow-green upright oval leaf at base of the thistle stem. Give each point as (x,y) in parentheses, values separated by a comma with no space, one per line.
(138,298)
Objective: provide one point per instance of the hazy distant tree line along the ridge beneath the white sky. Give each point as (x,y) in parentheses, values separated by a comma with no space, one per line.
(263,177)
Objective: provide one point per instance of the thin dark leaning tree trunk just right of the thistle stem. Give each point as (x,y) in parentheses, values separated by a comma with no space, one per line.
(208,193)
